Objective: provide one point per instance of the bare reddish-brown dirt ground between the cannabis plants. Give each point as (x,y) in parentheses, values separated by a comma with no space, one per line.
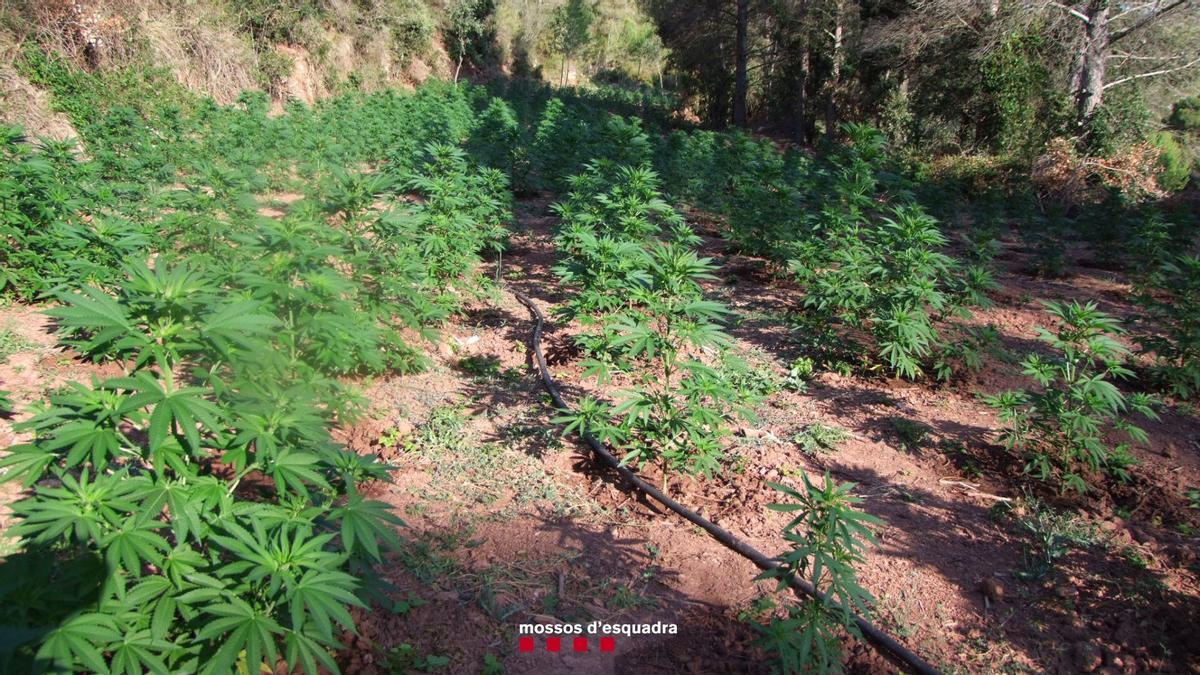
(515,525)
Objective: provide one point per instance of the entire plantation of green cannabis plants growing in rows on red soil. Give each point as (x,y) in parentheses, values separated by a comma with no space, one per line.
(196,515)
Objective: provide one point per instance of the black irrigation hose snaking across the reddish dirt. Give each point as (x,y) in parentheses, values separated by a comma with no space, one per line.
(887,646)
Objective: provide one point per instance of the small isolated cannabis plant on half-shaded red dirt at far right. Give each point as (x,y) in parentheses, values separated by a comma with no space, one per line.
(1063,428)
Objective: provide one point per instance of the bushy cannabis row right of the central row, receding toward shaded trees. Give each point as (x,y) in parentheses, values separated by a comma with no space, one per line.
(871,262)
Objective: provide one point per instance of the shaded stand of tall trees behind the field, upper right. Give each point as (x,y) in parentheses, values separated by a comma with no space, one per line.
(997,75)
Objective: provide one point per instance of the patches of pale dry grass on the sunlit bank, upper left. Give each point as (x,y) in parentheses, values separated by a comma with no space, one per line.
(196,41)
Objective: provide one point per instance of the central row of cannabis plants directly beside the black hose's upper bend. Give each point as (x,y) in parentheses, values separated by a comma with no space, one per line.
(628,258)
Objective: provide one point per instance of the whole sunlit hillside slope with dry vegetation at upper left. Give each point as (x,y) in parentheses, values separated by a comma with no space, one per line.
(215,49)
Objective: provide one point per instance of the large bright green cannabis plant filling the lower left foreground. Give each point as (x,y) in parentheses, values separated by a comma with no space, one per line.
(193,515)
